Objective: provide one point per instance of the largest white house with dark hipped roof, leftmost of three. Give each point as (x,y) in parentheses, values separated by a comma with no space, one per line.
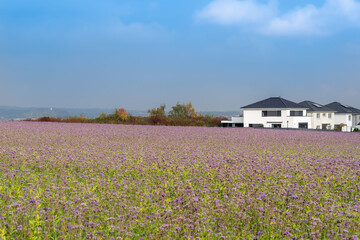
(276,112)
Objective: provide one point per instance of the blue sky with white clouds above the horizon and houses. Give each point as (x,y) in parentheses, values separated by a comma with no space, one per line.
(218,54)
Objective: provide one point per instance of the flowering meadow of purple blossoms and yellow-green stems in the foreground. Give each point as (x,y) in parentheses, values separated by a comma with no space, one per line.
(93,181)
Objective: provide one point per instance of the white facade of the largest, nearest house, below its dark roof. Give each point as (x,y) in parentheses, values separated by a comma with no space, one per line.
(255,117)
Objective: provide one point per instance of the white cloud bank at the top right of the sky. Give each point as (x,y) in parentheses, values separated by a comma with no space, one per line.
(332,16)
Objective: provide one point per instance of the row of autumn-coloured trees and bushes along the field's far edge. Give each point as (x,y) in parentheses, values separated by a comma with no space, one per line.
(179,115)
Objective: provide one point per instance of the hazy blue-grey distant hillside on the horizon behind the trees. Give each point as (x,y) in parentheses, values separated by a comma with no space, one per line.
(11,113)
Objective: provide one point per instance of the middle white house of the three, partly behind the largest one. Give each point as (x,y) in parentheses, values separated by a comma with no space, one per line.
(321,116)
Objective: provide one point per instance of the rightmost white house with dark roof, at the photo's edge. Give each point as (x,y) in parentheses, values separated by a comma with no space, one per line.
(346,115)
